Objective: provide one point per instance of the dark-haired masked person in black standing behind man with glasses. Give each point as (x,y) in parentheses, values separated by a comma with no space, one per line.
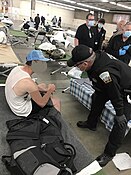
(99,33)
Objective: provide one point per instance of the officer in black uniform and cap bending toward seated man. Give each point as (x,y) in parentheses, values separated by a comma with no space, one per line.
(110,78)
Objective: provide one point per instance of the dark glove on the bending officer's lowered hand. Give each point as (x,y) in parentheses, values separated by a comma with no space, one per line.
(121,120)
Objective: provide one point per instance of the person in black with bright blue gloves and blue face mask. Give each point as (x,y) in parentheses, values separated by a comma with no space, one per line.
(119,45)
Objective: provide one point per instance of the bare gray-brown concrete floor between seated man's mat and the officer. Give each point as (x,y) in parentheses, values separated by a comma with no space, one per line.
(72,111)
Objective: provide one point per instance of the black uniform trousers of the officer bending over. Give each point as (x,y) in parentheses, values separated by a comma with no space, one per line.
(117,134)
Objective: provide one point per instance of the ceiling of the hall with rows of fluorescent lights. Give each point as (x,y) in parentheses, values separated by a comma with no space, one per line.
(109,5)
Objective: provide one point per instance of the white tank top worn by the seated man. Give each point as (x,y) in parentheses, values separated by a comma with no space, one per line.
(20,105)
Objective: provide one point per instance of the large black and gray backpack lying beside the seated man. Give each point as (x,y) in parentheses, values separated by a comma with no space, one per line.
(38,148)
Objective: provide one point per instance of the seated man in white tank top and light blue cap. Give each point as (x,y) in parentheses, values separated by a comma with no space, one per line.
(23,94)
